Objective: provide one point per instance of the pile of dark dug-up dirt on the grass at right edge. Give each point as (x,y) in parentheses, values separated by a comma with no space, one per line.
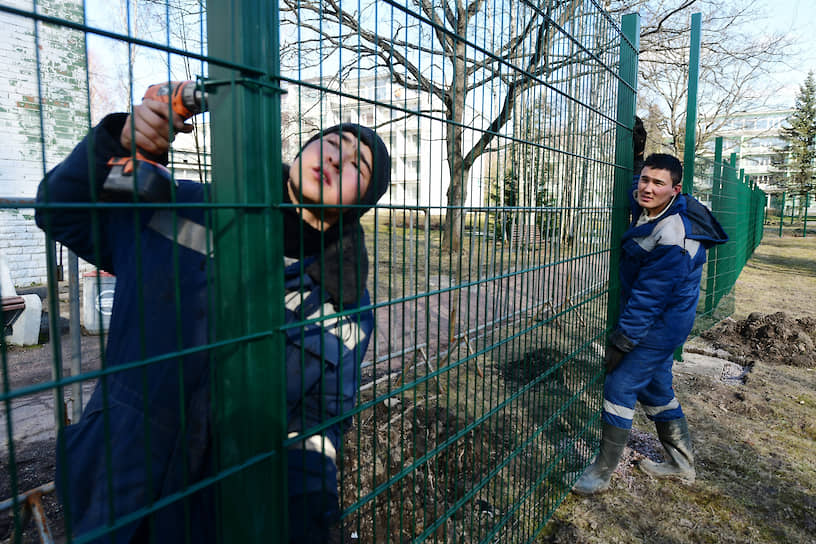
(775,339)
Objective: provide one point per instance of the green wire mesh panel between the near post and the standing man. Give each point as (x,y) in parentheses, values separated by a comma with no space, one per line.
(479,400)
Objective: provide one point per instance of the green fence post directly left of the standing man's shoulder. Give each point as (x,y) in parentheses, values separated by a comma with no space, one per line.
(624,155)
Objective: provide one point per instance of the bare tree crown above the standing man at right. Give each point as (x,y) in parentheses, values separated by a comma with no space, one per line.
(736,61)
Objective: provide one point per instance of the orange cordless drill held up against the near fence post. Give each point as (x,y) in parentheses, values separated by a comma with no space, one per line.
(144,175)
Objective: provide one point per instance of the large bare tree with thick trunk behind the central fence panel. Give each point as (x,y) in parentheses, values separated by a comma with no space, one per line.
(451,51)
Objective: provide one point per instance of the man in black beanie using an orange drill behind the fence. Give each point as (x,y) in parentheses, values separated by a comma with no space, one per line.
(145,433)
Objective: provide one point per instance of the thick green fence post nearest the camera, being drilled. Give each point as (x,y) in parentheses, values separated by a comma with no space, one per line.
(250,391)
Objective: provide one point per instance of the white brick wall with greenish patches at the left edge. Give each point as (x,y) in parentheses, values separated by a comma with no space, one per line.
(43,114)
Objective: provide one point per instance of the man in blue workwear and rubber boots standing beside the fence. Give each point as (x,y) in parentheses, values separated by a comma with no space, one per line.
(662,257)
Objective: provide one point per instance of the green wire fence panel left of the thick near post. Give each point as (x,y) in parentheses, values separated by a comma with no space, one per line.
(70,87)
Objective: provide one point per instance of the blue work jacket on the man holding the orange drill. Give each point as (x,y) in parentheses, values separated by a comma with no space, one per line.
(145,433)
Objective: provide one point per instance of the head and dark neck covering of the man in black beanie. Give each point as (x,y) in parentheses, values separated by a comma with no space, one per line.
(323,204)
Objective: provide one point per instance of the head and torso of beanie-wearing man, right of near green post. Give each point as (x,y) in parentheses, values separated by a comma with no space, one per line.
(338,175)
